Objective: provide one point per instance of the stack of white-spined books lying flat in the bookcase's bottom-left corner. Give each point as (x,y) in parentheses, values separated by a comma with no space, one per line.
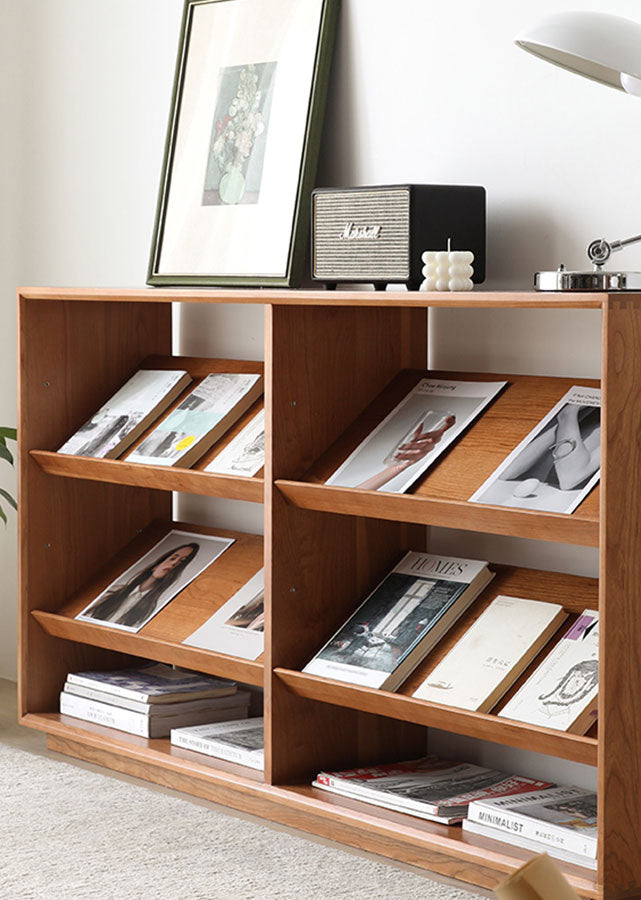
(151,700)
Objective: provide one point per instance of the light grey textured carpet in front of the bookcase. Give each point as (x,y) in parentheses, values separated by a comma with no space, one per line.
(70,830)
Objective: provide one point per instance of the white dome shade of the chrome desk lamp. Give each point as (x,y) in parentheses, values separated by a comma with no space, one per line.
(598,46)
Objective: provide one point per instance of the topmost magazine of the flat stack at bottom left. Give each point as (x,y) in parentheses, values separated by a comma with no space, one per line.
(155,683)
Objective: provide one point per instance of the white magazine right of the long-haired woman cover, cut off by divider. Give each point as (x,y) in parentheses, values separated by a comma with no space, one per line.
(238,627)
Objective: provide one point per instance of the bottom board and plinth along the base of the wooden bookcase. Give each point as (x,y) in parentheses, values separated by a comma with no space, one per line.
(426,844)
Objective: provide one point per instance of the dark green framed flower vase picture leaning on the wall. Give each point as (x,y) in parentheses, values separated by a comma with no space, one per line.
(242,143)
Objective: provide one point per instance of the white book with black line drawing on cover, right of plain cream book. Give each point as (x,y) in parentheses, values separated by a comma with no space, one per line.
(563,691)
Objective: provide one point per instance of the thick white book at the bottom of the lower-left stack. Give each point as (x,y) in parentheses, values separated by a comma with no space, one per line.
(139,723)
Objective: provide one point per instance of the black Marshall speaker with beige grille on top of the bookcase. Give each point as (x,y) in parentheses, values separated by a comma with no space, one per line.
(377,234)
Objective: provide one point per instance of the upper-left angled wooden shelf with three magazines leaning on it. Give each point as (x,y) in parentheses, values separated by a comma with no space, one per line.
(170,478)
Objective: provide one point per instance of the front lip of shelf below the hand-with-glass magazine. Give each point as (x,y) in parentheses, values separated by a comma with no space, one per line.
(574,529)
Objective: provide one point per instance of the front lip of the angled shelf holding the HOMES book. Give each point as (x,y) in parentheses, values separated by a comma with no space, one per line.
(459,721)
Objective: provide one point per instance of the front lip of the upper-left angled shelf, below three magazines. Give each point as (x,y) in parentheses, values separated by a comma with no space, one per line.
(114,471)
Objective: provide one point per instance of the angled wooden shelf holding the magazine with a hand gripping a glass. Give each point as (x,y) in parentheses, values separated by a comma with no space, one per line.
(440,497)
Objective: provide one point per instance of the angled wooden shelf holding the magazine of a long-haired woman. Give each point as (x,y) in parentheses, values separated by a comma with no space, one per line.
(161,639)
